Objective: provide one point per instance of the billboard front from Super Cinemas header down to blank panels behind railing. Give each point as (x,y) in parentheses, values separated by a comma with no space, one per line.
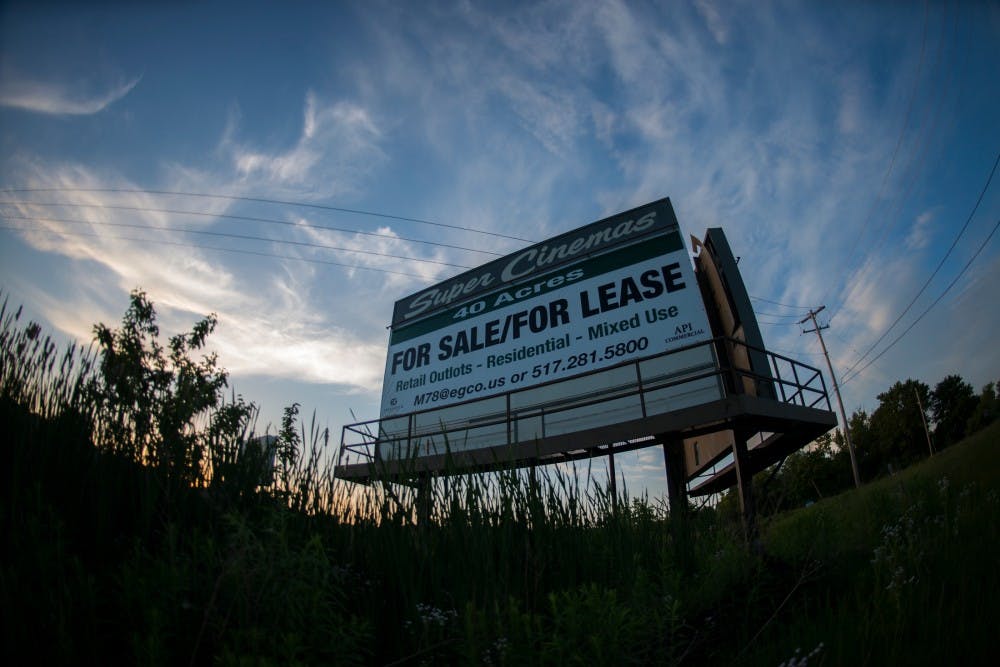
(541,328)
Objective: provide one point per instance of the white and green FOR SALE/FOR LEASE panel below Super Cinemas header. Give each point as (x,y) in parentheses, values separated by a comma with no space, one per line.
(630,302)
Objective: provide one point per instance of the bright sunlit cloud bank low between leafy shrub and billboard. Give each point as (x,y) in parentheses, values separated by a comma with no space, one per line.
(267,326)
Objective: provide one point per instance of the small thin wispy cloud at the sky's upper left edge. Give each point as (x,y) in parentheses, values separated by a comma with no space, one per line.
(61,99)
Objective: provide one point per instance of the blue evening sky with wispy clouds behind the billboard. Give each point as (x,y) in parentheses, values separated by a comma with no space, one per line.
(846,149)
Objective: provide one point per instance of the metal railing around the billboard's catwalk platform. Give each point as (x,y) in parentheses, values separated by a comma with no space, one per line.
(703,372)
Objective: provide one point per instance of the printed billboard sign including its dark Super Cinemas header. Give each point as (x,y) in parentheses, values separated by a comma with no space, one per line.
(653,304)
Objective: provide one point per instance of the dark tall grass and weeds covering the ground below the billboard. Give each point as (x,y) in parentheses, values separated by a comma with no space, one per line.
(115,552)
